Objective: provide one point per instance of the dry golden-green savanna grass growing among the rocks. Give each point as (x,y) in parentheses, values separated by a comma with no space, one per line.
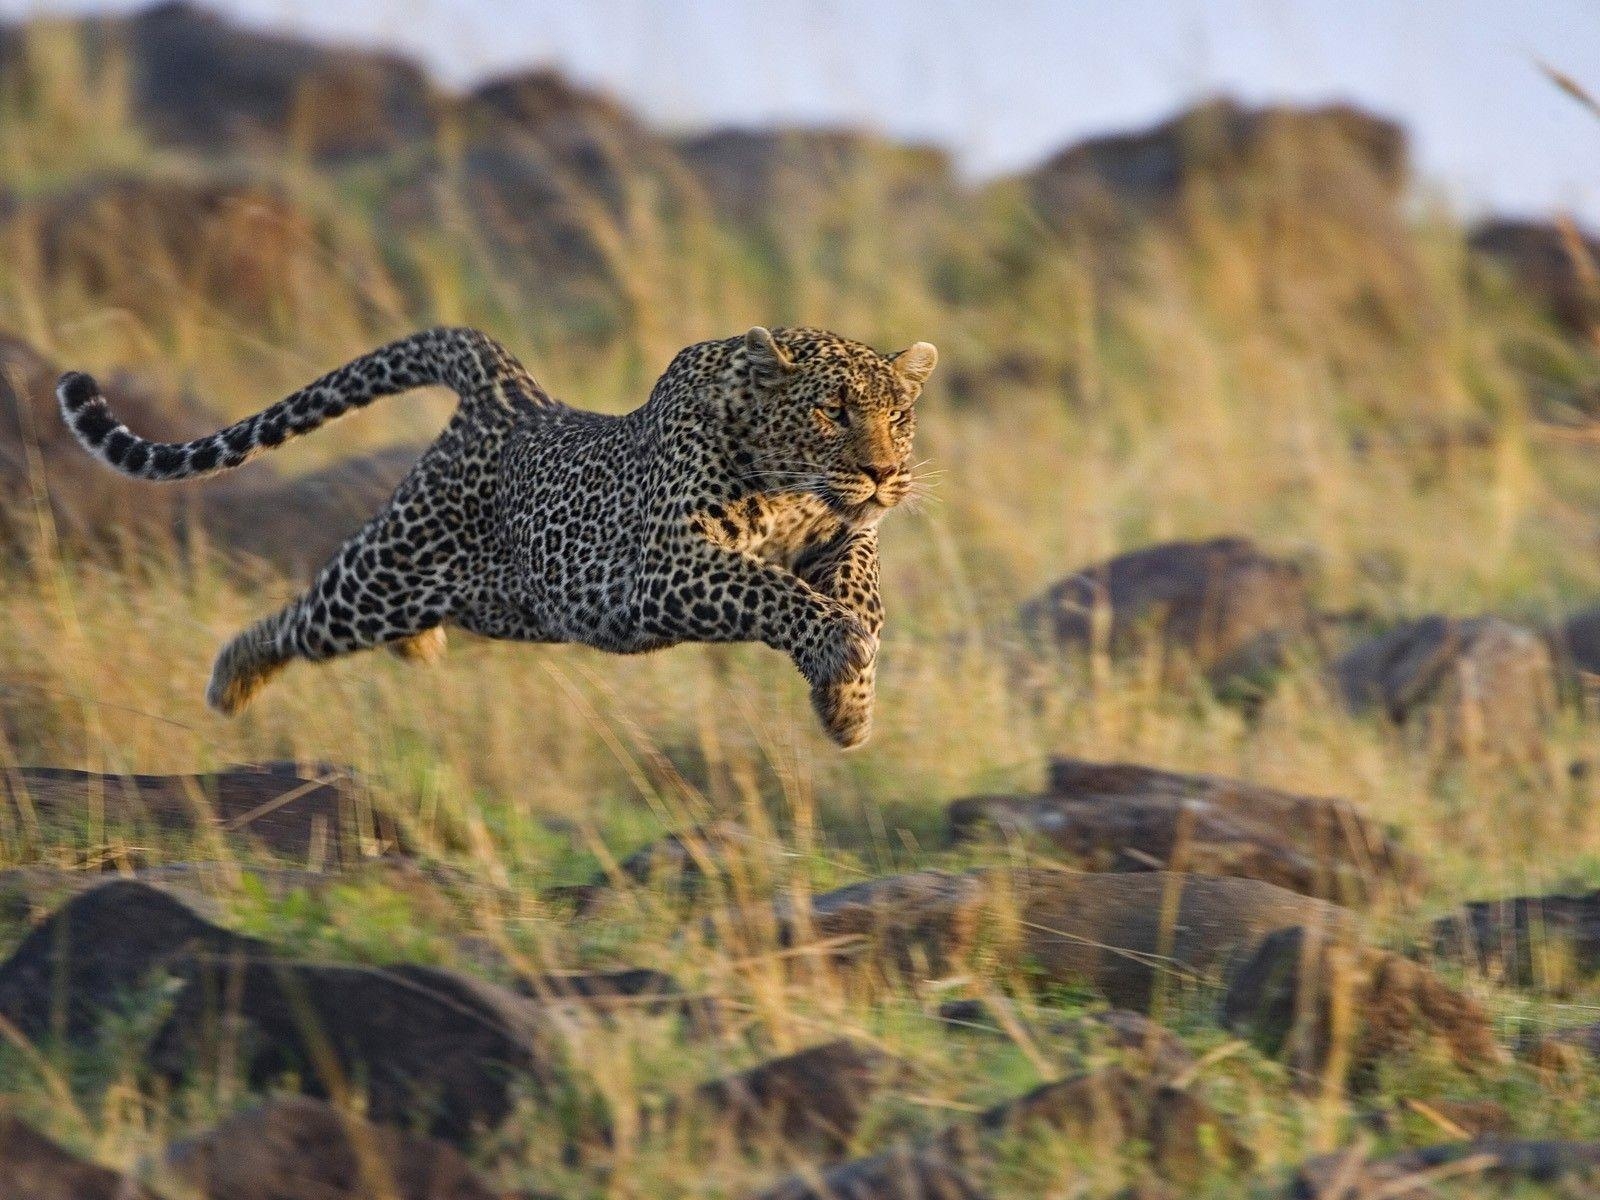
(1233,375)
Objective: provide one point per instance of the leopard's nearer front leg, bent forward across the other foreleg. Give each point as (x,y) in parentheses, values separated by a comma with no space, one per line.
(705,593)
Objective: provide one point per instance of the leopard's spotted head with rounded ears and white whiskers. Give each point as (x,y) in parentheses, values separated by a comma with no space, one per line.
(831,417)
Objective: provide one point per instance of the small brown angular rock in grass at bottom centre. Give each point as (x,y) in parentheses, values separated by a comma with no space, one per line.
(814,1100)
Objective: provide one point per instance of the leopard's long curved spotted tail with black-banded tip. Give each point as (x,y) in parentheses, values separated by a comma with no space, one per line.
(466,361)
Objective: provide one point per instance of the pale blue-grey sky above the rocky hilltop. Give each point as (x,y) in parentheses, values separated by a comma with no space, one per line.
(1007,82)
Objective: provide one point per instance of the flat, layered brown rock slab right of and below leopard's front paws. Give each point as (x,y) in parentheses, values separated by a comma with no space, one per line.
(1121,817)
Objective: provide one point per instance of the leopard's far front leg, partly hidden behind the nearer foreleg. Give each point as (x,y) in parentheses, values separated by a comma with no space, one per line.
(846,569)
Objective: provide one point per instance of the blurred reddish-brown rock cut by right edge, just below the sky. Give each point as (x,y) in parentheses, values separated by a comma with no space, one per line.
(1553,262)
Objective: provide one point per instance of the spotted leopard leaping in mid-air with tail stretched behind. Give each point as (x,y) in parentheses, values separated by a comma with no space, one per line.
(740,503)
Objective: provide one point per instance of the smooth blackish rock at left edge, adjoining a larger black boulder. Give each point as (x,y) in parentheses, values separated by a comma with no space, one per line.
(97,953)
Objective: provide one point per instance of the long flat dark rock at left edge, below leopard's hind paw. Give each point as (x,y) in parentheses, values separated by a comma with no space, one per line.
(316,817)
